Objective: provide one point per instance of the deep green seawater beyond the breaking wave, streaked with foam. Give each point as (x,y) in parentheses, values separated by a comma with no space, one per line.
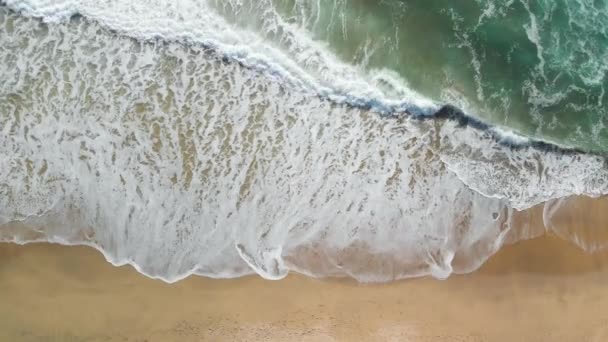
(537,67)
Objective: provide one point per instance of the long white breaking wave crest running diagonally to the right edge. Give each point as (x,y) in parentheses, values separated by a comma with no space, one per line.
(323,75)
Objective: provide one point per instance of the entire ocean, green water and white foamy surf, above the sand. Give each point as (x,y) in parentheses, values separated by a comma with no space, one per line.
(377,140)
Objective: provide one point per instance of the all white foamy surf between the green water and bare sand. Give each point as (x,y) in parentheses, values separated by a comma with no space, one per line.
(172,138)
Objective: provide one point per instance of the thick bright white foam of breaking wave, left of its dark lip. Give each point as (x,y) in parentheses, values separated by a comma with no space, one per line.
(292,54)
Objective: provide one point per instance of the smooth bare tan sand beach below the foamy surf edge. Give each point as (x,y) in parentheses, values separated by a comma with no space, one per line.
(545,289)
